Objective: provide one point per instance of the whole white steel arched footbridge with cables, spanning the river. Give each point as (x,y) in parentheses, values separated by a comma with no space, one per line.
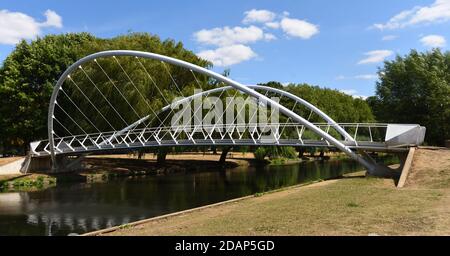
(116,100)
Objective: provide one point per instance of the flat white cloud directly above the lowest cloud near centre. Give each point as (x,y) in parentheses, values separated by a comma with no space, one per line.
(229,36)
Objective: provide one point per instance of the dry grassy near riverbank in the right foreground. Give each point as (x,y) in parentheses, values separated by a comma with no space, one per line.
(353,205)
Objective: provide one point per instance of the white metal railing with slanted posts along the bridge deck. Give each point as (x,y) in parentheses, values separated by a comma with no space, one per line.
(217,134)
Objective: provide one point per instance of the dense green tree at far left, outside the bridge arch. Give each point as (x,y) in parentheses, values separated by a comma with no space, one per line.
(27,77)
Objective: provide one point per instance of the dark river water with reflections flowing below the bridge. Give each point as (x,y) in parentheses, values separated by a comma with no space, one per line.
(80,207)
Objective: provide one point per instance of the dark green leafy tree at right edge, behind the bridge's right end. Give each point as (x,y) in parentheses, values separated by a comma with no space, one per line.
(416,89)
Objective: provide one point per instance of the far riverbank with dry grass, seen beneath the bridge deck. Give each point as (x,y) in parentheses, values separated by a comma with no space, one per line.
(101,168)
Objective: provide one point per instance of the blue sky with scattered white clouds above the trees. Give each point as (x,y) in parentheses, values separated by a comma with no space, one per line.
(333,44)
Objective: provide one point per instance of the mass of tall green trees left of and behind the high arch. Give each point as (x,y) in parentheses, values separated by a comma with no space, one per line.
(28,74)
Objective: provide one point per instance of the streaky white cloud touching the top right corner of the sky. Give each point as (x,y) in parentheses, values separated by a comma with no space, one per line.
(439,11)
